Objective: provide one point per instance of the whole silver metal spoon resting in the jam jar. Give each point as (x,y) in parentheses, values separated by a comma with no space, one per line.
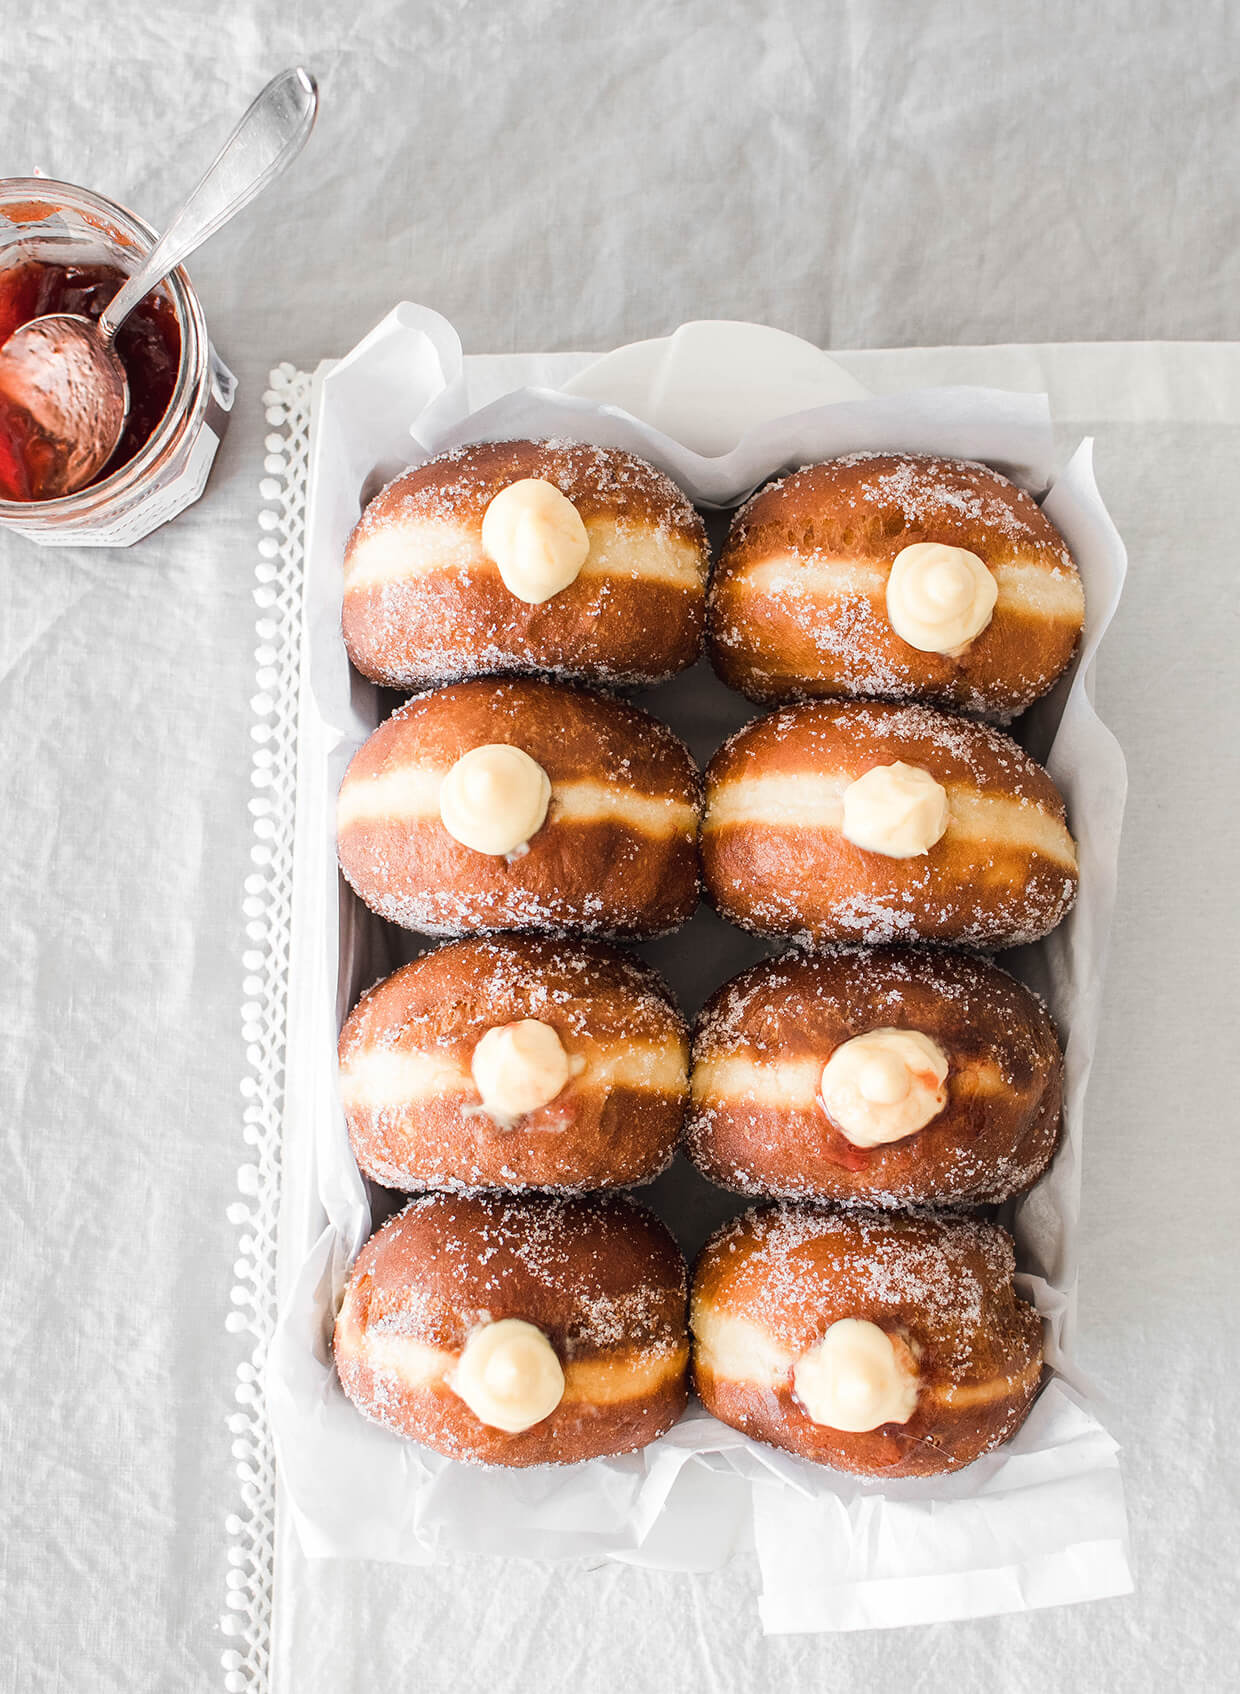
(64,368)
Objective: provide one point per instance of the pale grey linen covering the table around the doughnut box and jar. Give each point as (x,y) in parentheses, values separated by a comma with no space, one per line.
(553,175)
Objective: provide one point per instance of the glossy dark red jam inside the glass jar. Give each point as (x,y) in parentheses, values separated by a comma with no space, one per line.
(148,345)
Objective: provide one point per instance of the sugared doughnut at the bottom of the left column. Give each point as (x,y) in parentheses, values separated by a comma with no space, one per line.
(509,1331)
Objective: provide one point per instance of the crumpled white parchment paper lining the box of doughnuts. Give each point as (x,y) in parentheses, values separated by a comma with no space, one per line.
(1038,1524)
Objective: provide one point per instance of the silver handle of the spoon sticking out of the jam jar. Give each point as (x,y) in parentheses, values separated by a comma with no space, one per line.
(268,138)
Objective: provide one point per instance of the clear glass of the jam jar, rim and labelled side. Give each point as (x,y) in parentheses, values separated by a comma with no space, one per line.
(60,224)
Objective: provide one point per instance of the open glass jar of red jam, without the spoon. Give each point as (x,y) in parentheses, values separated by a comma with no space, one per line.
(67,250)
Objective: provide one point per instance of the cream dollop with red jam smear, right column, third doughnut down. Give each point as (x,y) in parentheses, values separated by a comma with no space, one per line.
(885,1085)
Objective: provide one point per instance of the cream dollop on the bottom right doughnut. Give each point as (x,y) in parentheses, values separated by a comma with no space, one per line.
(858,1378)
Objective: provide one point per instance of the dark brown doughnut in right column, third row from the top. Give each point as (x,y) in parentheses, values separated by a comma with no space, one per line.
(883,1077)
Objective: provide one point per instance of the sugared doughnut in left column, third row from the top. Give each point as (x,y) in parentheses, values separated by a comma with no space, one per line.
(516,1063)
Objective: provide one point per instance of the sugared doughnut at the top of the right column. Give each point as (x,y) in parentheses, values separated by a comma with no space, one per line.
(895,575)
